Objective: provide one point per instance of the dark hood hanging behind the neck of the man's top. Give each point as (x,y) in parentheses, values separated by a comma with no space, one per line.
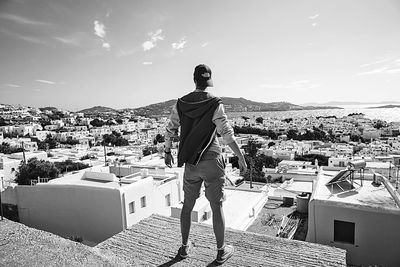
(199,108)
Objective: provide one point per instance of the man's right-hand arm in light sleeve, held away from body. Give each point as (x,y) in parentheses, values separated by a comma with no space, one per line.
(225,130)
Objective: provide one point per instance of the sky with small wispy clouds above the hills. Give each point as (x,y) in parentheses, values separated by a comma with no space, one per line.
(75,54)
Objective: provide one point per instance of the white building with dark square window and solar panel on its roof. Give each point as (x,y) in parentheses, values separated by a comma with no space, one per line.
(364,220)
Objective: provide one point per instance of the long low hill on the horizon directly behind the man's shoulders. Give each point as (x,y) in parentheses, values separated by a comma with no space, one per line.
(231,105)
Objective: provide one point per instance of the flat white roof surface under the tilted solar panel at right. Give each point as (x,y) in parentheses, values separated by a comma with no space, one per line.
(366,197)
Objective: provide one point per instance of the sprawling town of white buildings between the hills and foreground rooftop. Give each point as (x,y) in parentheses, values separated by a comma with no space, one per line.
(298,166)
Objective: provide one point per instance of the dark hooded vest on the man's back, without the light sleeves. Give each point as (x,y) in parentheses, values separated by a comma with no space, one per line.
(198,131)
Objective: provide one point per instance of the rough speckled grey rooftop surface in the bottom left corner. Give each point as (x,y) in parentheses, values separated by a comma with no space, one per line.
(24,246)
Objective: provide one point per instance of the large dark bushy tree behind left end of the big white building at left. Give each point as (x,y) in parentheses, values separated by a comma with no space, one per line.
(33,169)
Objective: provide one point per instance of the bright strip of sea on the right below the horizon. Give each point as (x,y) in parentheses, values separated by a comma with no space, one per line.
(385,114)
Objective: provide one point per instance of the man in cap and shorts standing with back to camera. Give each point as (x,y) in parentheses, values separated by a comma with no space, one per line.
(200,117)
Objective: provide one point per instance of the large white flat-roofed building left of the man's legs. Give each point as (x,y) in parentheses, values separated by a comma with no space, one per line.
(95,205)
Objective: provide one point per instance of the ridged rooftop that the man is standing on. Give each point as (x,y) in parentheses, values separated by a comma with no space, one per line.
(155,241)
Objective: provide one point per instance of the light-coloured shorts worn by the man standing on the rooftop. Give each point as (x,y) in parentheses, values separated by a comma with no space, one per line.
(211,171)
